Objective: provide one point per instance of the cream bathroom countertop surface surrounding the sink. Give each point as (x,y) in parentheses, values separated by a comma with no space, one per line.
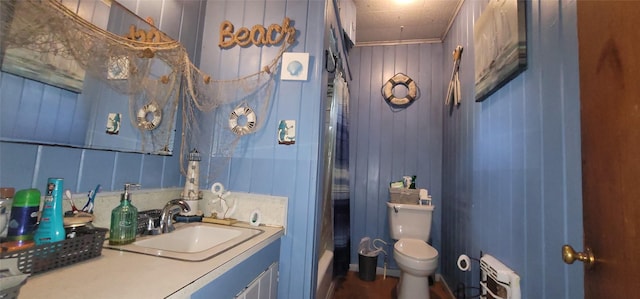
(117,274)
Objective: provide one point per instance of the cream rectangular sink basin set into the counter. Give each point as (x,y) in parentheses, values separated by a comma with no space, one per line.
(190,241)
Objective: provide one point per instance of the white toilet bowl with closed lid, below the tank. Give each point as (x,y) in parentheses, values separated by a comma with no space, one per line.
(416,260)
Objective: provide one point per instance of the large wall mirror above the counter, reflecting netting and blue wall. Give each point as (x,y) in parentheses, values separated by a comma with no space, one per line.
(92,76)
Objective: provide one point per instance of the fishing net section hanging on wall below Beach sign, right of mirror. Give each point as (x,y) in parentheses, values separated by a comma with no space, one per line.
(218,99)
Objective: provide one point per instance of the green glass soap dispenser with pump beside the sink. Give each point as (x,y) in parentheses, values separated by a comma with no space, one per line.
(124,219)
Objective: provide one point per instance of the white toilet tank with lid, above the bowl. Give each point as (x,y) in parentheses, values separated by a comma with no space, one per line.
(409,221)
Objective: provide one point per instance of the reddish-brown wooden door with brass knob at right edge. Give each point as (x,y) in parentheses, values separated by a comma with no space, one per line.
(609,49)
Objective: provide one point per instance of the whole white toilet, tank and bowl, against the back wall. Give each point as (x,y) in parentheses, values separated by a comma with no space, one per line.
(410,225)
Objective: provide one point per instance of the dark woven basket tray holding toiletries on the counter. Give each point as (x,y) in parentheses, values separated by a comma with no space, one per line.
(50,256)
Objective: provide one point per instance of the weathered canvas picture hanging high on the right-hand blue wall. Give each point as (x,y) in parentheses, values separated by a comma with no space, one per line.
(500,45)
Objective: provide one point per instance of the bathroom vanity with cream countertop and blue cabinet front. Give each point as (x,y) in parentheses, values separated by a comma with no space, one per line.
(120,274)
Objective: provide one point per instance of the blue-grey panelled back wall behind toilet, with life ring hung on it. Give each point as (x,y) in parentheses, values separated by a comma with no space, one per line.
(386,143)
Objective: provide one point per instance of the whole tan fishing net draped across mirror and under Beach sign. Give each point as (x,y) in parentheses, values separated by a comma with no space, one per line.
(158,71)
